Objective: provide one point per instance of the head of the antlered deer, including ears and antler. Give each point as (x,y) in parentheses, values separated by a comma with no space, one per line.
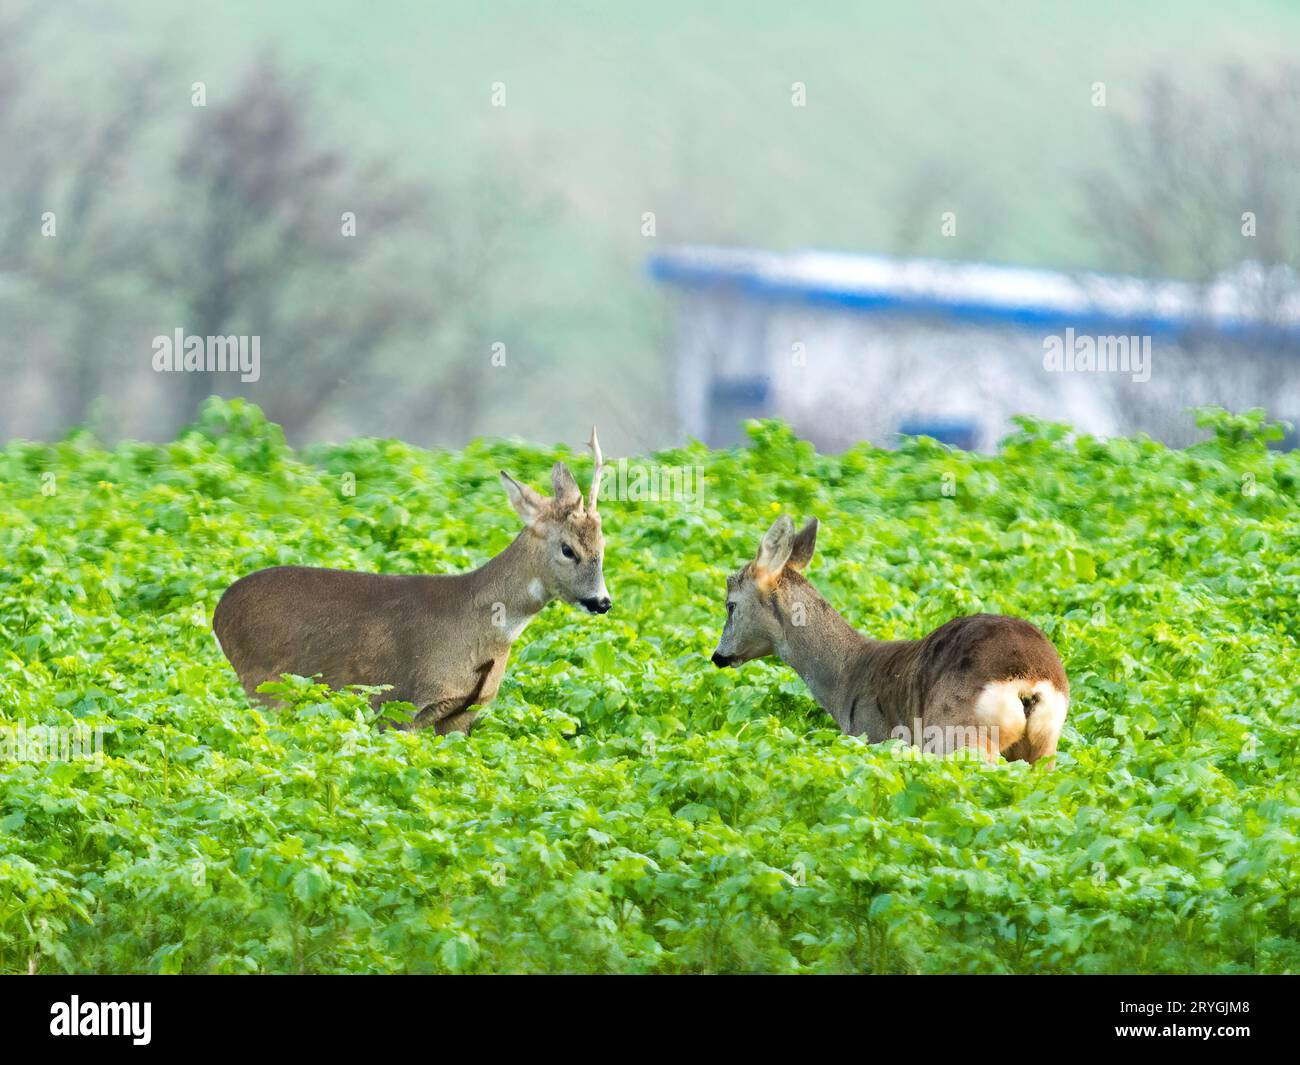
(569,534)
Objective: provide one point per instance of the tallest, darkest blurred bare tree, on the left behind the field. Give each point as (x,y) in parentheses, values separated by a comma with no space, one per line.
(262,246)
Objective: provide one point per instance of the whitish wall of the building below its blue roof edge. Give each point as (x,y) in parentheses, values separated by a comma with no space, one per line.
(842,376)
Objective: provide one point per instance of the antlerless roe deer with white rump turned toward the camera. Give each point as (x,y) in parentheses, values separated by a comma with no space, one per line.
(989,682)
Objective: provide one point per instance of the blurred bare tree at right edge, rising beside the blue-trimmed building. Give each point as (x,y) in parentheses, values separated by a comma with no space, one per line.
(1202,187)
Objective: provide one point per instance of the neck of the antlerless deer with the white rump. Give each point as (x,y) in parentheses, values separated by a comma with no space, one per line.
(820,646)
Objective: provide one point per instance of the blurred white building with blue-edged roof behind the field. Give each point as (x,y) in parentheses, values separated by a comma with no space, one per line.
(850,348)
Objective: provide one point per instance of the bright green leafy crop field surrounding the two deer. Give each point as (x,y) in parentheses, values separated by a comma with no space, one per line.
(623,806)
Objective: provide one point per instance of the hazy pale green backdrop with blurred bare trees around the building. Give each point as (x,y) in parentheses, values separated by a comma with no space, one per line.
(522,226)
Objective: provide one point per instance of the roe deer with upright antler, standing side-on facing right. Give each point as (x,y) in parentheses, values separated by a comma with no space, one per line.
(441,642)
